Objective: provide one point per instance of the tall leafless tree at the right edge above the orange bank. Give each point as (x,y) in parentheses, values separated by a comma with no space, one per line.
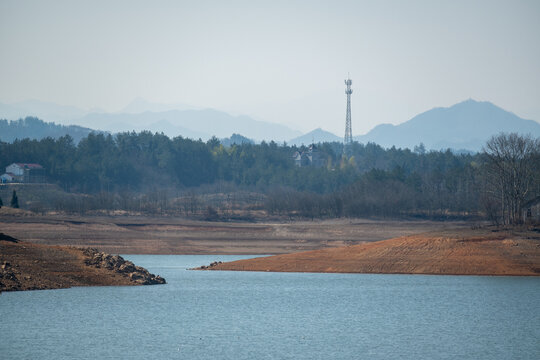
(512,163)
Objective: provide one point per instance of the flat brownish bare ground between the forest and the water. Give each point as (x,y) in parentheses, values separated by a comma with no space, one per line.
(169,235)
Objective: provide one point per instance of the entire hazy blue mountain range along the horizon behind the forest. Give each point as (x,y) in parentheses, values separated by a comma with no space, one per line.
(464,126)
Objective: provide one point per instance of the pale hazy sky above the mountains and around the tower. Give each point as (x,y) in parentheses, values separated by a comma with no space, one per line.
(277,61)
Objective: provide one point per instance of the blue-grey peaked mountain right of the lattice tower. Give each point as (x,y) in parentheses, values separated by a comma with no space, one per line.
(467,125)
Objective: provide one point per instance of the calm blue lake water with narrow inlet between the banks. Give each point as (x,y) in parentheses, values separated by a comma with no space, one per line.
(249,315)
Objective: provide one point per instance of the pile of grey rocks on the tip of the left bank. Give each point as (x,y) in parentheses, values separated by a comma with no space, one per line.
(117,263)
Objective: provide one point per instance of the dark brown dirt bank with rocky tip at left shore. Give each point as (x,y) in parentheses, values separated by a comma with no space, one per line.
(28,266)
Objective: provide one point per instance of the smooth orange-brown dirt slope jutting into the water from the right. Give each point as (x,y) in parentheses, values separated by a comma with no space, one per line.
(477,253)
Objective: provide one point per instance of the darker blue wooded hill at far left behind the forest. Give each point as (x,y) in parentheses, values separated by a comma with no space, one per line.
(34,128)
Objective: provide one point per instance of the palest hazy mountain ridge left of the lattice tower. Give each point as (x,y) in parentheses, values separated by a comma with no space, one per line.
(171,119)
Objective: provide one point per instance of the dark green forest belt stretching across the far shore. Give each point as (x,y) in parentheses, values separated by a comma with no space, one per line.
(129,169)
